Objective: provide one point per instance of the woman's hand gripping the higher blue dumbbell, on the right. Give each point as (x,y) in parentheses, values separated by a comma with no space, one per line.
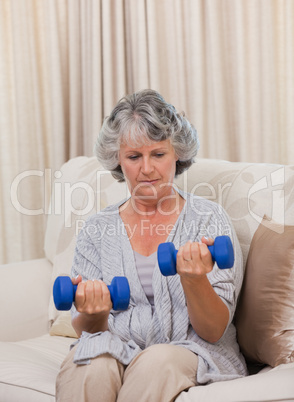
(194,259)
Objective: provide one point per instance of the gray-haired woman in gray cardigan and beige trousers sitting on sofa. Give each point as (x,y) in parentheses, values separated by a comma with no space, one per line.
(177,331)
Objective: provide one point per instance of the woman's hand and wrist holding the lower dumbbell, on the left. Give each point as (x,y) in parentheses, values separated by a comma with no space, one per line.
(93,302)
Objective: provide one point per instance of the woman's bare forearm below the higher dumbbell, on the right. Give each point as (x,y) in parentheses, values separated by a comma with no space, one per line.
(207,312)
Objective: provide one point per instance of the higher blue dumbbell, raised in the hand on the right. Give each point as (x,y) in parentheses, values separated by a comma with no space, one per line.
(222,253)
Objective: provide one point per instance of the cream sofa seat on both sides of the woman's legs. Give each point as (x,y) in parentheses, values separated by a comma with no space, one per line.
(28,371)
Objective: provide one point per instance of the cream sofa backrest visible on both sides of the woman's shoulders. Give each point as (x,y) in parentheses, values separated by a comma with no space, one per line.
(247,191)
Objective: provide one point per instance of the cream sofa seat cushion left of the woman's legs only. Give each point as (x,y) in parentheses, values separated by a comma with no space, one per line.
(28,369)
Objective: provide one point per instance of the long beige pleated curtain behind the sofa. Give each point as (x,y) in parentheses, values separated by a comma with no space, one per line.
(229,64)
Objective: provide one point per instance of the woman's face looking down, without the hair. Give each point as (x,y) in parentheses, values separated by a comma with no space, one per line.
(150,169)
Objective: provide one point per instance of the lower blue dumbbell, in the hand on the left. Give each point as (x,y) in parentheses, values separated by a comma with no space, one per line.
(64,293)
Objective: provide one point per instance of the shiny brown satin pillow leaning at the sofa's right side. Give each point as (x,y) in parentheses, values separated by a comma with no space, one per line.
(265,312)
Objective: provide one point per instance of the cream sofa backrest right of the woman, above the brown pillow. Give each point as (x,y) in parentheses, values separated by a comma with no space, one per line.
(247,191)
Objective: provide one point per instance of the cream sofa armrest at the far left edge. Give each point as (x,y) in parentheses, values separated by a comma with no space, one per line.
(24,299)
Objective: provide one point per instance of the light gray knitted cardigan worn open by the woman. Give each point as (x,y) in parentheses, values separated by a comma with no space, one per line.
(104,250)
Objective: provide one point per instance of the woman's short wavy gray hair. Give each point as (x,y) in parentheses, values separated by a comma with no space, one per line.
(142,118)
